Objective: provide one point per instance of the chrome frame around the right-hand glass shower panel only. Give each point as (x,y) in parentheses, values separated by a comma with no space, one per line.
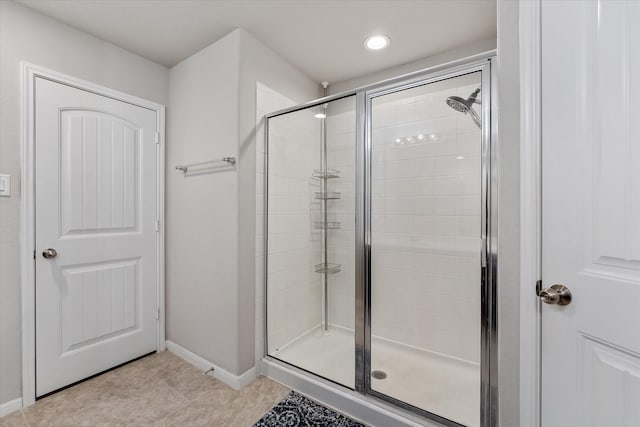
(488,363)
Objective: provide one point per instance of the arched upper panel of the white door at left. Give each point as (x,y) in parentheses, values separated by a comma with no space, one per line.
(101,198)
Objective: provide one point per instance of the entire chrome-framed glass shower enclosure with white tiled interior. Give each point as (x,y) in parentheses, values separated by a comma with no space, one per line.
(379,254)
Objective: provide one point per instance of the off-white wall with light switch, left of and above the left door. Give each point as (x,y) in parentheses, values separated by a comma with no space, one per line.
(26,35)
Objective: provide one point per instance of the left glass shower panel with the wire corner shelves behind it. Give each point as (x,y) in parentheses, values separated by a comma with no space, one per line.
(310,234)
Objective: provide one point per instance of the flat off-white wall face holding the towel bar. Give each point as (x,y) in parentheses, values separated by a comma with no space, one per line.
(202,210)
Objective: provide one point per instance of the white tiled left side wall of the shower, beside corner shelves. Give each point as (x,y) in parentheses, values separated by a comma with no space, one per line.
(293,286)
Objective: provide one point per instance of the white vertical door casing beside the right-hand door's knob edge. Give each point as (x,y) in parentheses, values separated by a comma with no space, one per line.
(530,77)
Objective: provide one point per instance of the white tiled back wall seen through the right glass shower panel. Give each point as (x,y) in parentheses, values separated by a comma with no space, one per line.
(426,225)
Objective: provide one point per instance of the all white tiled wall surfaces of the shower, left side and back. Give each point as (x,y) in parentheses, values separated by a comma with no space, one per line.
(426,275)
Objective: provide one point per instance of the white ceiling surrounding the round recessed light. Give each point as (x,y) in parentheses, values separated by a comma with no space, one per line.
(324,38)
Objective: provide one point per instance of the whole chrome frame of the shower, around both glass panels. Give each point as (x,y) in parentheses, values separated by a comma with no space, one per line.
(485,63)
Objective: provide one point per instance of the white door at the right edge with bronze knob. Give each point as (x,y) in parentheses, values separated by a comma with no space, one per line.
(591,212)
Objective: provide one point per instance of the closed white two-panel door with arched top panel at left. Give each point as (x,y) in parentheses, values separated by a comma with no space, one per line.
(96,206)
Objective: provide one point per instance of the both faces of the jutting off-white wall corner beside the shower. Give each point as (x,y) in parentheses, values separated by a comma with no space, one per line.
(211,246)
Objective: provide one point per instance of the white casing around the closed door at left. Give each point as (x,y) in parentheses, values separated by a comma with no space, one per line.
(28,209)
